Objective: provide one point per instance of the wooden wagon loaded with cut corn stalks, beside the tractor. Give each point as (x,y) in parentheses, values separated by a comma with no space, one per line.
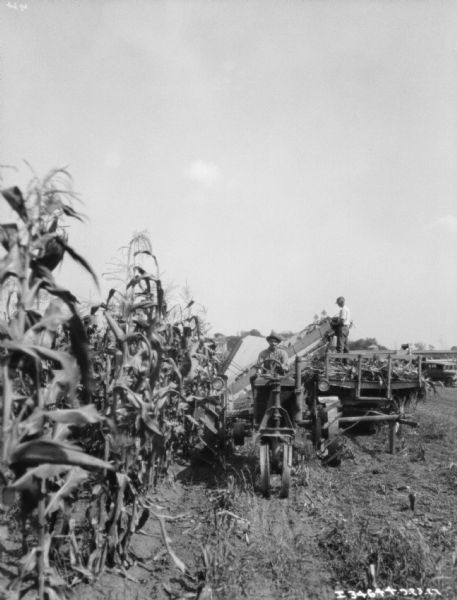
(345,390)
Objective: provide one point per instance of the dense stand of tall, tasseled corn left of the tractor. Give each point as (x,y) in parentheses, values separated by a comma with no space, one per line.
(94,407)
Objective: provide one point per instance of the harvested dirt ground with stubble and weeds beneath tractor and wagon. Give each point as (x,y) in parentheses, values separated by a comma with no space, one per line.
(378,521)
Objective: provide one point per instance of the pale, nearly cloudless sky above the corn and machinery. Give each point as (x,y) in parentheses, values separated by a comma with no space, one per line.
(279,154)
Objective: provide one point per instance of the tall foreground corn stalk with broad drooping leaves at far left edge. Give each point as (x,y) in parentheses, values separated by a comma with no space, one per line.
(33,444)
